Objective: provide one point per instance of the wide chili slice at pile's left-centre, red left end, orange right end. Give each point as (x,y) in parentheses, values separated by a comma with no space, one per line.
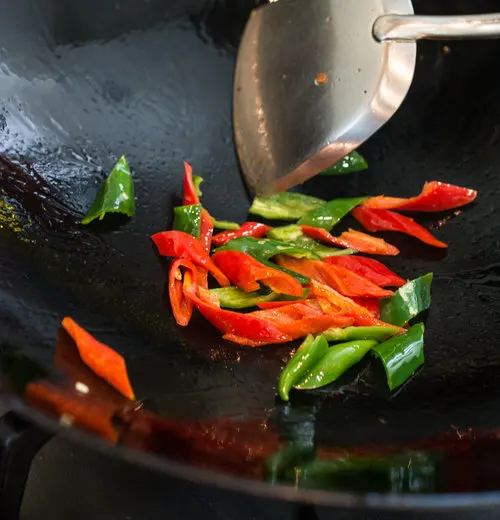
(245,272)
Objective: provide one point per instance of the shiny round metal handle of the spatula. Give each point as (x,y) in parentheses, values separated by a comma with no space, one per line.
(394,27)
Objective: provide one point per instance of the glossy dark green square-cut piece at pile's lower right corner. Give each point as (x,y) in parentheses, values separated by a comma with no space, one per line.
(402,355)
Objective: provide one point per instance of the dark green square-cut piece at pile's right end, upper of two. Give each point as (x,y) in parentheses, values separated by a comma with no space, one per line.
(407,302)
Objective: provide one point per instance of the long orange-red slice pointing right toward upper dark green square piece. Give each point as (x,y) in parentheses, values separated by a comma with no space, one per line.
(339,278)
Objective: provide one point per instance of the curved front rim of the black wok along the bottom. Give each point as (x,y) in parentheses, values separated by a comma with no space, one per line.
(253,487)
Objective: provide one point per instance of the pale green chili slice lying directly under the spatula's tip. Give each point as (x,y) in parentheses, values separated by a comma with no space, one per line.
(284,206)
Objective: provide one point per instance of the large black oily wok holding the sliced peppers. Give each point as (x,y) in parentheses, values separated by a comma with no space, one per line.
(82,83)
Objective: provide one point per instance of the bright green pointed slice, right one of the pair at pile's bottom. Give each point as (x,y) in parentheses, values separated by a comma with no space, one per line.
(334,363)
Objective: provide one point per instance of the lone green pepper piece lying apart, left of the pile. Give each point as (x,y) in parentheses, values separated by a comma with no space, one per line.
(116,195)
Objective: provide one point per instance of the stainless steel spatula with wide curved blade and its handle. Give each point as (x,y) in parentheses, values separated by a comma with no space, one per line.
(316,78)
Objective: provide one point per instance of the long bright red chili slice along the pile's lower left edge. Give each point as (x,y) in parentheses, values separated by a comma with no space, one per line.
(249,329)
